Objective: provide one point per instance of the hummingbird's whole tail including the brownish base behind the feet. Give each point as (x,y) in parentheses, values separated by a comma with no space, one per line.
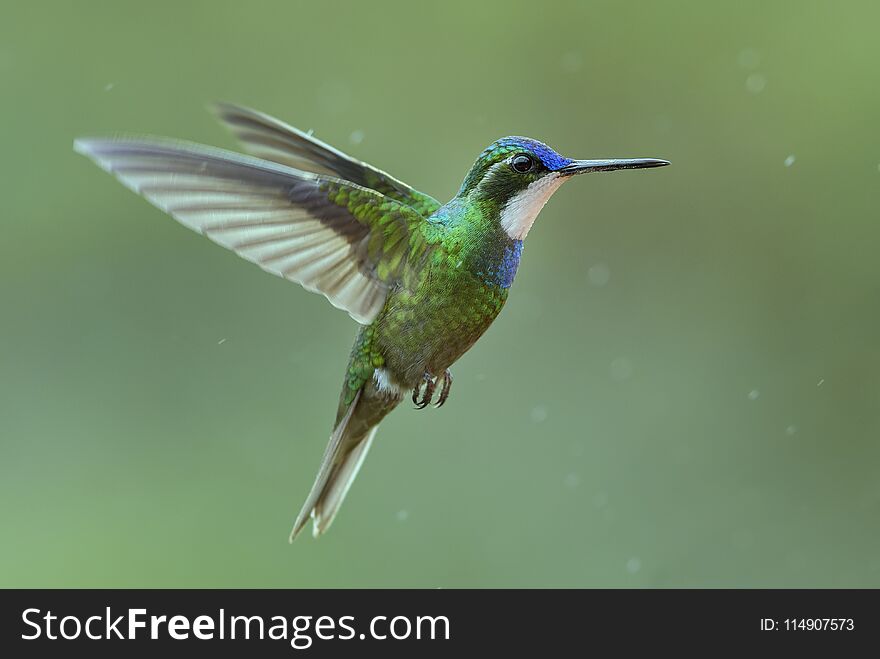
(348,446)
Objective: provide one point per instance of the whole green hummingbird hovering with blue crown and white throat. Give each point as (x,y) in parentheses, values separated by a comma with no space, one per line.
(423,280)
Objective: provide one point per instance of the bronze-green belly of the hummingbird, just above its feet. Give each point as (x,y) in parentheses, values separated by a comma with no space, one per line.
(428,329)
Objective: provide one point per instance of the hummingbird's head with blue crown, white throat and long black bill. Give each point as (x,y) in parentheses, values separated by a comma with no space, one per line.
(515,176)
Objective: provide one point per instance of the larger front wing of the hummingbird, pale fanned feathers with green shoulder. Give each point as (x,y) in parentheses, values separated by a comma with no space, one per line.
(347,242)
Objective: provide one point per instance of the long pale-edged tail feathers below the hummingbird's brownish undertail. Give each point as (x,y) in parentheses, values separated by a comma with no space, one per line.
(339,466)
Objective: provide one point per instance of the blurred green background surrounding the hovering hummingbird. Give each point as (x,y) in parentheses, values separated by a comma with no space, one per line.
(682,391)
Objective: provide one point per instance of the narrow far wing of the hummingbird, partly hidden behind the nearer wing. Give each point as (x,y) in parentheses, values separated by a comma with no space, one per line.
(269,138)
